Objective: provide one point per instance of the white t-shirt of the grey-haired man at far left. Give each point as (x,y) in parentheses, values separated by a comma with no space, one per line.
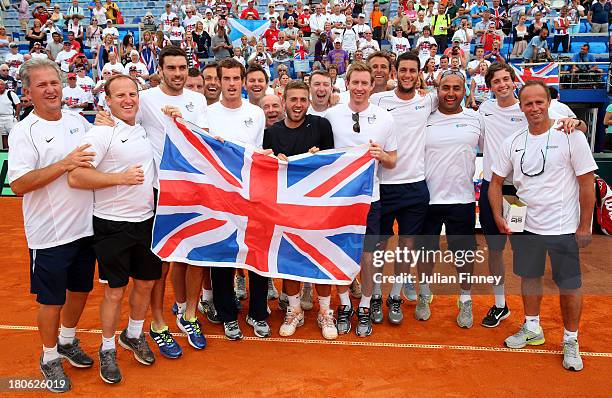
(55,214)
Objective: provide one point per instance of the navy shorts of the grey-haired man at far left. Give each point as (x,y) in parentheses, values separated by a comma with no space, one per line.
(66,267)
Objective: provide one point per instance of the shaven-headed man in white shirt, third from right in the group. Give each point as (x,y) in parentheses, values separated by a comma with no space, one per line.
(451,141)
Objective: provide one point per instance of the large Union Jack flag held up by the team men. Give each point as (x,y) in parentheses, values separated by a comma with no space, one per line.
(225,204)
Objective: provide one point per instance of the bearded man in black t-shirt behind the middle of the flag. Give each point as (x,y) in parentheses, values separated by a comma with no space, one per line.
(300,133)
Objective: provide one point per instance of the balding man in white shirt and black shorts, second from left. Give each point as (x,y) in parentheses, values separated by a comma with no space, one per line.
(122,179)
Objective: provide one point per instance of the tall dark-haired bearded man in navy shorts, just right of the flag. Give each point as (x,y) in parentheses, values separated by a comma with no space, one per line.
(403,191)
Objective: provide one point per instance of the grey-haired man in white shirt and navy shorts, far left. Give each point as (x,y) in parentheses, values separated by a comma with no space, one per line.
(58,219)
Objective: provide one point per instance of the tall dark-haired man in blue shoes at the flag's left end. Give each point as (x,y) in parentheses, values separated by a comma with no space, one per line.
(186,279)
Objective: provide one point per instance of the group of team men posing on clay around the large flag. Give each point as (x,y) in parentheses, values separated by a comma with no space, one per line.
(425,145)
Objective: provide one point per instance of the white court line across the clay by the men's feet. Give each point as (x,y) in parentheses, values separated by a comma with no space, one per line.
(358,343)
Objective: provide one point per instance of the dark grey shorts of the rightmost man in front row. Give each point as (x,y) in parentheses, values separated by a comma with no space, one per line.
(529,257)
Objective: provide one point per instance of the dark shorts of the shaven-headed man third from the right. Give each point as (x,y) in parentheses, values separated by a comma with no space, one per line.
(459,221)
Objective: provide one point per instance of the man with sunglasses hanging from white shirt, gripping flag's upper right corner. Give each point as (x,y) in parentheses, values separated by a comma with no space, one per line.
(357,123)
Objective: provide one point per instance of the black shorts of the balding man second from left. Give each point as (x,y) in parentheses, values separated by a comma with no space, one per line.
(124,250)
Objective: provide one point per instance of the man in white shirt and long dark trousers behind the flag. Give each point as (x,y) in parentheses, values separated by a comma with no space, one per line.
(236,119)
